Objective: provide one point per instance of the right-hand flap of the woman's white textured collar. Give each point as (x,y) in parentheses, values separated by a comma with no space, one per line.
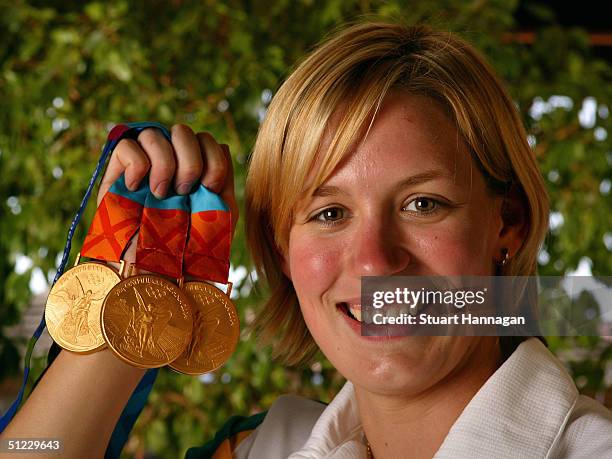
(521,409)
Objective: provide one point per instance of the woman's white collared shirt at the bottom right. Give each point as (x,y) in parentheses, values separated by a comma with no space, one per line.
(529,408)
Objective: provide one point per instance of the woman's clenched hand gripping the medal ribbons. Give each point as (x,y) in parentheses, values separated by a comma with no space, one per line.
(182,164)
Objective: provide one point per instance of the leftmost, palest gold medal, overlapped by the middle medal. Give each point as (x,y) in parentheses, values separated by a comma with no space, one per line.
(73,307)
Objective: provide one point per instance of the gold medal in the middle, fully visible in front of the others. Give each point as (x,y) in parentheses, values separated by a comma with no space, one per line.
(147,321)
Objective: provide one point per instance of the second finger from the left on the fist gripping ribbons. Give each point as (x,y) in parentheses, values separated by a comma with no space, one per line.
(163,163)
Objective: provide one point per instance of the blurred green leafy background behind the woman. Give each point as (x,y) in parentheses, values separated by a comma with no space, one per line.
(70,70)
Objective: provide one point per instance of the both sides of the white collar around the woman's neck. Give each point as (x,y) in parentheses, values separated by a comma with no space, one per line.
(521,409)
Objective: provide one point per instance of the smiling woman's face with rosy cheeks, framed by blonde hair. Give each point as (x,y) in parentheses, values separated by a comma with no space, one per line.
(408,201)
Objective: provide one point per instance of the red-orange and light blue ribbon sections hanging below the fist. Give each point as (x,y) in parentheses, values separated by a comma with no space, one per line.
(179,235)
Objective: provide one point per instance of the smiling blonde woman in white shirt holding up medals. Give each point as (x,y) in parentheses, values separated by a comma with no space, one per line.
(389,151)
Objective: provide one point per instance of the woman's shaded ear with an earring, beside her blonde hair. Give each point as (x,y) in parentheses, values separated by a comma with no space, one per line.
(514,223)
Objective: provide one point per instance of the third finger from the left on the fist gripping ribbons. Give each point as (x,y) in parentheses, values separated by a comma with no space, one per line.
(189,162)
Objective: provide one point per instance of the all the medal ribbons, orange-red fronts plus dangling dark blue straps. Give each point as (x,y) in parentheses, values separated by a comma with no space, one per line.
(118,217)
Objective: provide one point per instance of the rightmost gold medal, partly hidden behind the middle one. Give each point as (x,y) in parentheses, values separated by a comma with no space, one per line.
(216,330)
